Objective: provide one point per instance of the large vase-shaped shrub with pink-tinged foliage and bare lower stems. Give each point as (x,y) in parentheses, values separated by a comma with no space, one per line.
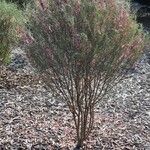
(83,48)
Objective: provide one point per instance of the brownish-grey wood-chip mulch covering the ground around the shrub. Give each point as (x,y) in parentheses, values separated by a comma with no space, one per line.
(30,118)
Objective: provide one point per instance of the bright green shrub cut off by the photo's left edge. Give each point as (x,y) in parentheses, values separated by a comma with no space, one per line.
(11,20)
